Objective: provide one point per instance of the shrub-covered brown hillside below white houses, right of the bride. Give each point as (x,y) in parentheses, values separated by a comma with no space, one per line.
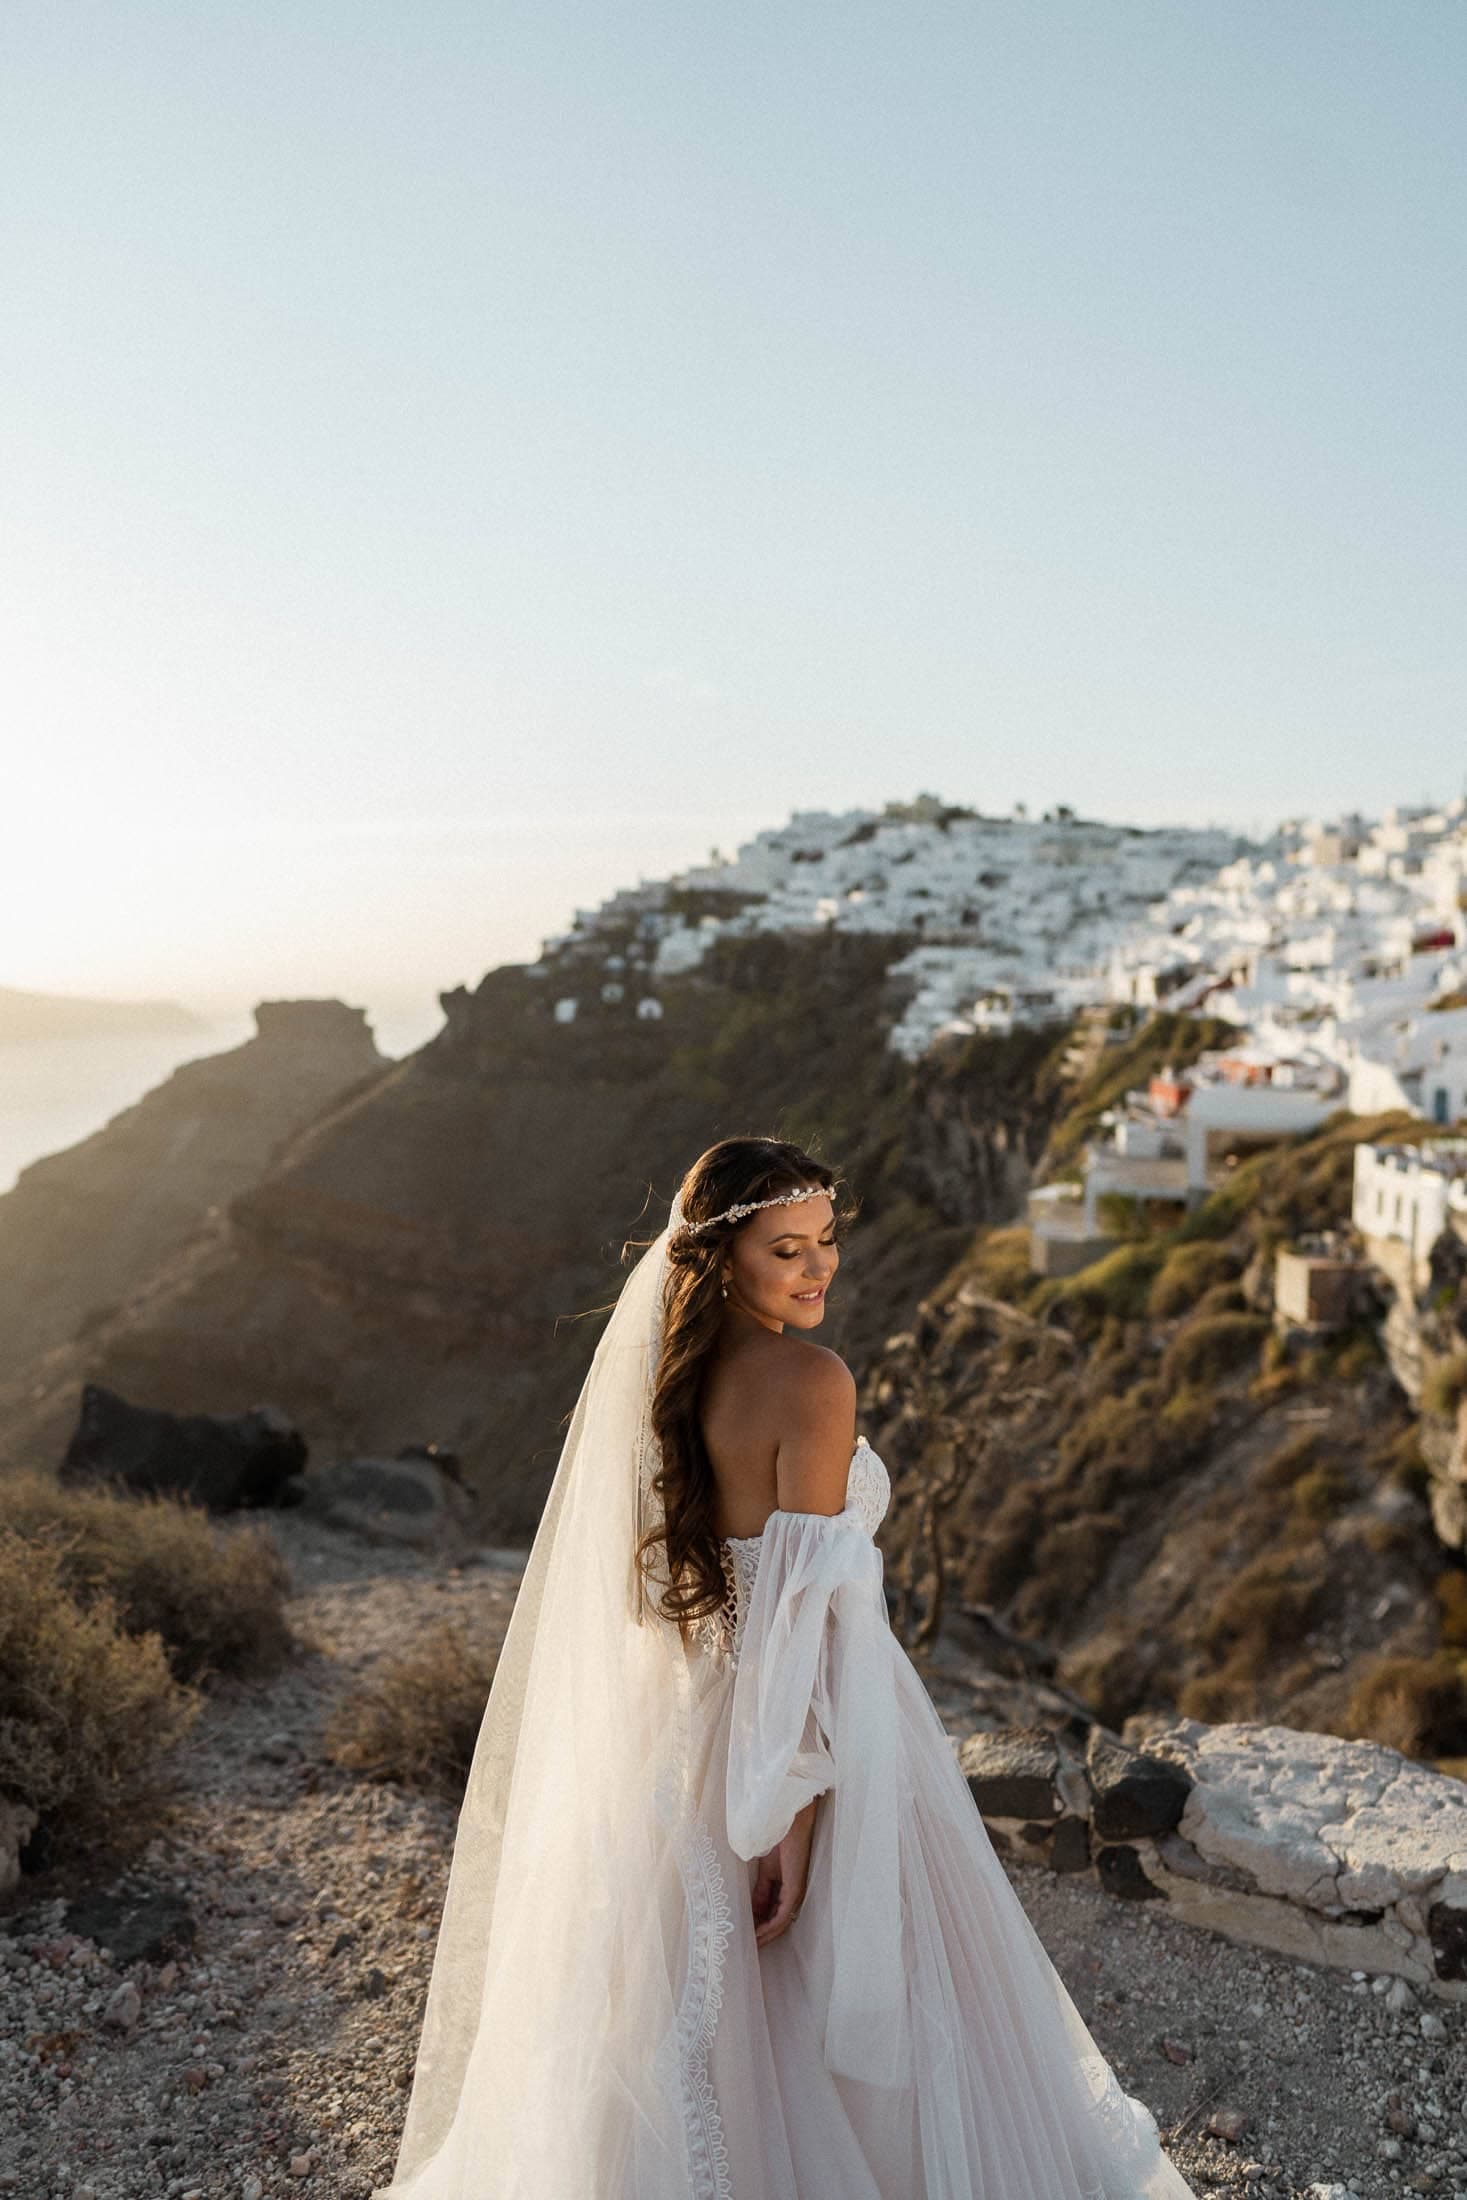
(1195,1512)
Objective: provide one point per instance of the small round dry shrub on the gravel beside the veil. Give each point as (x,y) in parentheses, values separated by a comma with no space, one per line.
(415,1717)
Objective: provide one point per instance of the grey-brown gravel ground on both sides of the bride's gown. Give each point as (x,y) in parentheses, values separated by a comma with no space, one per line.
(263,2036)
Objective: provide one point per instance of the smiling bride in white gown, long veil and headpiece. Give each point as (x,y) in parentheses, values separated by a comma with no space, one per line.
(723,1917)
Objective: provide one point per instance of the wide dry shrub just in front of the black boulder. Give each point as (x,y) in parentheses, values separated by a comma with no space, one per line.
(217,1596)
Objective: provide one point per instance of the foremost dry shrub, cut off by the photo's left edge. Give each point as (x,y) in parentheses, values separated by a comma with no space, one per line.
(89,1715)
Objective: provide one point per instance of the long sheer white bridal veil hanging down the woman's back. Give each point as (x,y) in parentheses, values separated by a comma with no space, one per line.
(560,2036)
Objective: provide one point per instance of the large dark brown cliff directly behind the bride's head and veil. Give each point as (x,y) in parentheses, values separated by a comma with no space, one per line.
(426,1259)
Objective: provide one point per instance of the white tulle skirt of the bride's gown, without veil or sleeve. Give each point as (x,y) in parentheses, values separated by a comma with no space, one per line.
(1008,2095)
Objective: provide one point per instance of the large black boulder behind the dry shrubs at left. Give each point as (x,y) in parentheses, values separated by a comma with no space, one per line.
(223,1462)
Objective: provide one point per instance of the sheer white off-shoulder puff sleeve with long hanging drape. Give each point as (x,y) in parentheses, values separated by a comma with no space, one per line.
(815,1710)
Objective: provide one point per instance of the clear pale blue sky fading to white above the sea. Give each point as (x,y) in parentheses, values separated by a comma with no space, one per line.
(465,459)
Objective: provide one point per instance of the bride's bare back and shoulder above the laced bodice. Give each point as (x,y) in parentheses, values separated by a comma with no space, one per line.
(777,1418)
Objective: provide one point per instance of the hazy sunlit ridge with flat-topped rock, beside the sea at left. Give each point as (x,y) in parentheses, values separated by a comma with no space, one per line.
(82,1231)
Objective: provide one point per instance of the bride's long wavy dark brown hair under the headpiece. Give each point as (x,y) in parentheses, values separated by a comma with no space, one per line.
(685,1548)
